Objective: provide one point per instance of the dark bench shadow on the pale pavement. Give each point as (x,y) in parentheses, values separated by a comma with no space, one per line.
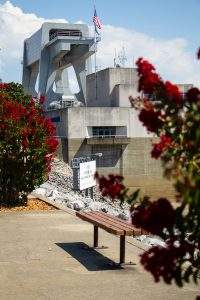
(88,257)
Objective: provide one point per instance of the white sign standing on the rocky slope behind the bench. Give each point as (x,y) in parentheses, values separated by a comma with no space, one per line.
(87,171)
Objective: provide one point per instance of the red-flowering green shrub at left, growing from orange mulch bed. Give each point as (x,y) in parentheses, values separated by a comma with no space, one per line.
(26,144)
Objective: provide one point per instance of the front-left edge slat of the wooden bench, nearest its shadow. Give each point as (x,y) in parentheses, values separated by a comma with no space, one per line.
(92,219)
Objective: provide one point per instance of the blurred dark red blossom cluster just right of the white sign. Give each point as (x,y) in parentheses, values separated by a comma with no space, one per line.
(111,186)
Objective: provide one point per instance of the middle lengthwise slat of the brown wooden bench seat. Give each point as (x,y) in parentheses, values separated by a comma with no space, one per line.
(105,218)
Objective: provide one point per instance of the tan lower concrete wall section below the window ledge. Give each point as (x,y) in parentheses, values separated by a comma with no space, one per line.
(133,161)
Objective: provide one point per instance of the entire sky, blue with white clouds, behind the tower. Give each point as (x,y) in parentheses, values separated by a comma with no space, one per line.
(164,32)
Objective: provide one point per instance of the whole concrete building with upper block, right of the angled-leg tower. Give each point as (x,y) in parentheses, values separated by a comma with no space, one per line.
(109,125)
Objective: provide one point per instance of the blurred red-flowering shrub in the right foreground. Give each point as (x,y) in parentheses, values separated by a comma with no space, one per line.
(175,121)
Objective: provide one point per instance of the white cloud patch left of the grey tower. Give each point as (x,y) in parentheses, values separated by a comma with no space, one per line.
(15,26)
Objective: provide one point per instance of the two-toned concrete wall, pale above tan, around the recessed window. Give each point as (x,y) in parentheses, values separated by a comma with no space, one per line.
(129,157)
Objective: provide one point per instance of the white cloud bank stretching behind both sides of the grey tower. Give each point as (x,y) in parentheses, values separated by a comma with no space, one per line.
(172,58)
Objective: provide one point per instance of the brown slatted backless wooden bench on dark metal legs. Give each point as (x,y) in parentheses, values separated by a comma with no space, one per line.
(112,225)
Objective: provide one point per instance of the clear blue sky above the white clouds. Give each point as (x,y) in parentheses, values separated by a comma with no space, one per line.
(158,18)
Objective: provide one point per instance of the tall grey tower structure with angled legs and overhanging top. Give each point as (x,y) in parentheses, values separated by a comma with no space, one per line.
(49,53)
